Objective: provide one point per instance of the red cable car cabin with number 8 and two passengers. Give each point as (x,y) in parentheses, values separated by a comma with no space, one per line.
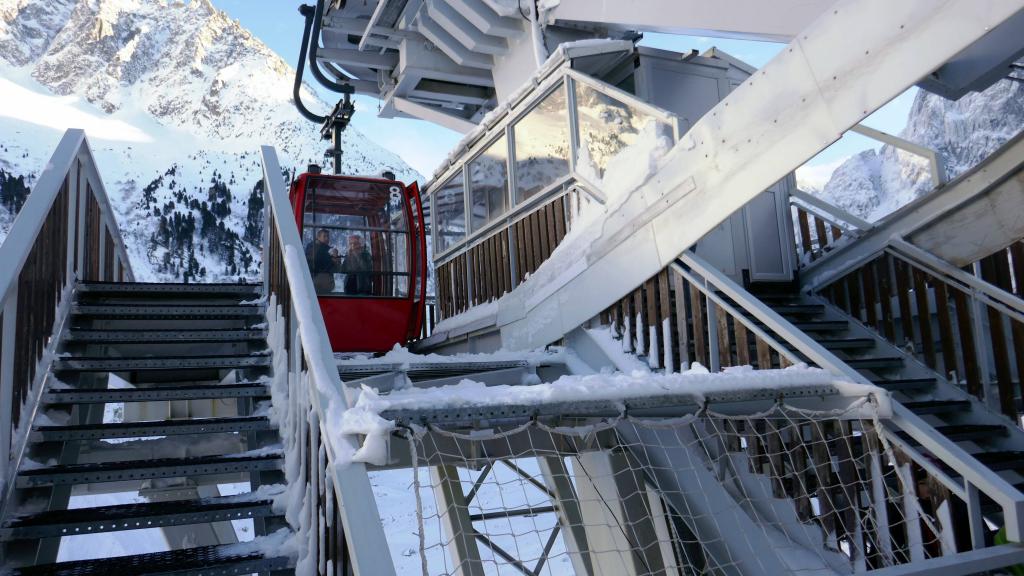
(365,242)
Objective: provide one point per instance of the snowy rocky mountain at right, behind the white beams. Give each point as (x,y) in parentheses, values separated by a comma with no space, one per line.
(875,183)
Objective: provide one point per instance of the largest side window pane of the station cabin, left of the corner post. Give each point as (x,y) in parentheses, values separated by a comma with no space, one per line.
(542,146)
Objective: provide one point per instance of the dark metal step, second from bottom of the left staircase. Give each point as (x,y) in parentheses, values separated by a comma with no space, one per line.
(135,517)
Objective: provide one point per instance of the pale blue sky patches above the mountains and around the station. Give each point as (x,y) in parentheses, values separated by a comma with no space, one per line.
(425,146)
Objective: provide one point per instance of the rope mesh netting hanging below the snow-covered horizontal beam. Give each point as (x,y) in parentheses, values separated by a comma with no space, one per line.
(783,491)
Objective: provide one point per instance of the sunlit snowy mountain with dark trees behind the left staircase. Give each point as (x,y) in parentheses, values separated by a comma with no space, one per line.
(176,99)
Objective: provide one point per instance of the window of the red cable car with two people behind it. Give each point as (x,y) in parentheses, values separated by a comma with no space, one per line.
(356,236)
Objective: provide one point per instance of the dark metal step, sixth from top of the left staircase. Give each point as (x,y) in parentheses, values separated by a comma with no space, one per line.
(150,429)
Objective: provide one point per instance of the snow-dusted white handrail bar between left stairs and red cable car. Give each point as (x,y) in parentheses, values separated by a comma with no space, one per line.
(311,347)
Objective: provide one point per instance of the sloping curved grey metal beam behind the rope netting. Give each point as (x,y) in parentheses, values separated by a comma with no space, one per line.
(712,512)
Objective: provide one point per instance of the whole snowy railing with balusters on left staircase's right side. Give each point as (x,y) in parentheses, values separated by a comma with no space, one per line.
(331,500)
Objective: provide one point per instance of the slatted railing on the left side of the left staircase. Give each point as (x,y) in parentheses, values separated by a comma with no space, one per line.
(66,232)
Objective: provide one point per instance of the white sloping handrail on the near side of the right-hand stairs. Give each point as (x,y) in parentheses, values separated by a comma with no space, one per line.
(976,477)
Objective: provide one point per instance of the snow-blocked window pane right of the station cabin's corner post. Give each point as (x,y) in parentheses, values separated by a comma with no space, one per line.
(607,127)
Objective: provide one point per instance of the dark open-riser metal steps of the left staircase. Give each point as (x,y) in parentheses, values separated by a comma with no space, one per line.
(188,367)
